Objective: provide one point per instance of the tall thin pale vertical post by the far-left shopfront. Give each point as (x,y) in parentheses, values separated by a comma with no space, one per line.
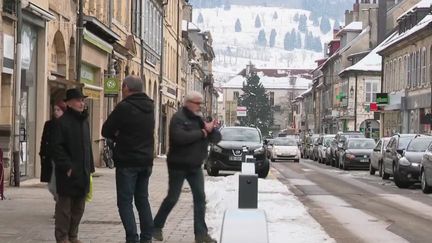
(16,143)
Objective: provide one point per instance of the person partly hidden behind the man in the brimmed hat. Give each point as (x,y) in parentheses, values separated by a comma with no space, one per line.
(45,152)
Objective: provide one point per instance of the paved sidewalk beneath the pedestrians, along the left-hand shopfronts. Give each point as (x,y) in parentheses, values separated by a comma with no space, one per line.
(27,214)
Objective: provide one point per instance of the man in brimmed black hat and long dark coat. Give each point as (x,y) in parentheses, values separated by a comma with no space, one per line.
(73,159)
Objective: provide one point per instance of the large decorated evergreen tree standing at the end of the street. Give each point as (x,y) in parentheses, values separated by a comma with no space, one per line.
(256,101)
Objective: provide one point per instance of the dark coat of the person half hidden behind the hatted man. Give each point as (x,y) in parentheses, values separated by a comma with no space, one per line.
(45,151)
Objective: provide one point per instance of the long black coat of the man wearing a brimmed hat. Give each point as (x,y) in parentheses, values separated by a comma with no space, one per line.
(72,149)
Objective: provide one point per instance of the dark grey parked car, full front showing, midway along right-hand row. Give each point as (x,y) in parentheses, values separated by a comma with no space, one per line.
(355,153)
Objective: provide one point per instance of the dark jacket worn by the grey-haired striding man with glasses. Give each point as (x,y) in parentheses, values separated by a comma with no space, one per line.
(187,143)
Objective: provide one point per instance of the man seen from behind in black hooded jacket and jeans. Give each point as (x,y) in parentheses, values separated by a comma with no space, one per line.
(131,127)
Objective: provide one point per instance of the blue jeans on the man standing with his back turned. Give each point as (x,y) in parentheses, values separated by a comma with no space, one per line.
(133,182)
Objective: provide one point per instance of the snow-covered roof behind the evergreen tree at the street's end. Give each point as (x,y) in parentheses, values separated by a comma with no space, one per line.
(270,82)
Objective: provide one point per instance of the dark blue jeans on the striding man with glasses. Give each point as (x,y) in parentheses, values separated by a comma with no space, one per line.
(195,179)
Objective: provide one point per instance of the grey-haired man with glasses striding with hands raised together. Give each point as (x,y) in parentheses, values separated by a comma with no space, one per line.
(189,139)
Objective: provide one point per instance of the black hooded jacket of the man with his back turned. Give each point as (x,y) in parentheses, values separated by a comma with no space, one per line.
(131,126)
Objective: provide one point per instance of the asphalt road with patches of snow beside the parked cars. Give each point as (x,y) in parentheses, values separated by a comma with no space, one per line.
(353,206)
